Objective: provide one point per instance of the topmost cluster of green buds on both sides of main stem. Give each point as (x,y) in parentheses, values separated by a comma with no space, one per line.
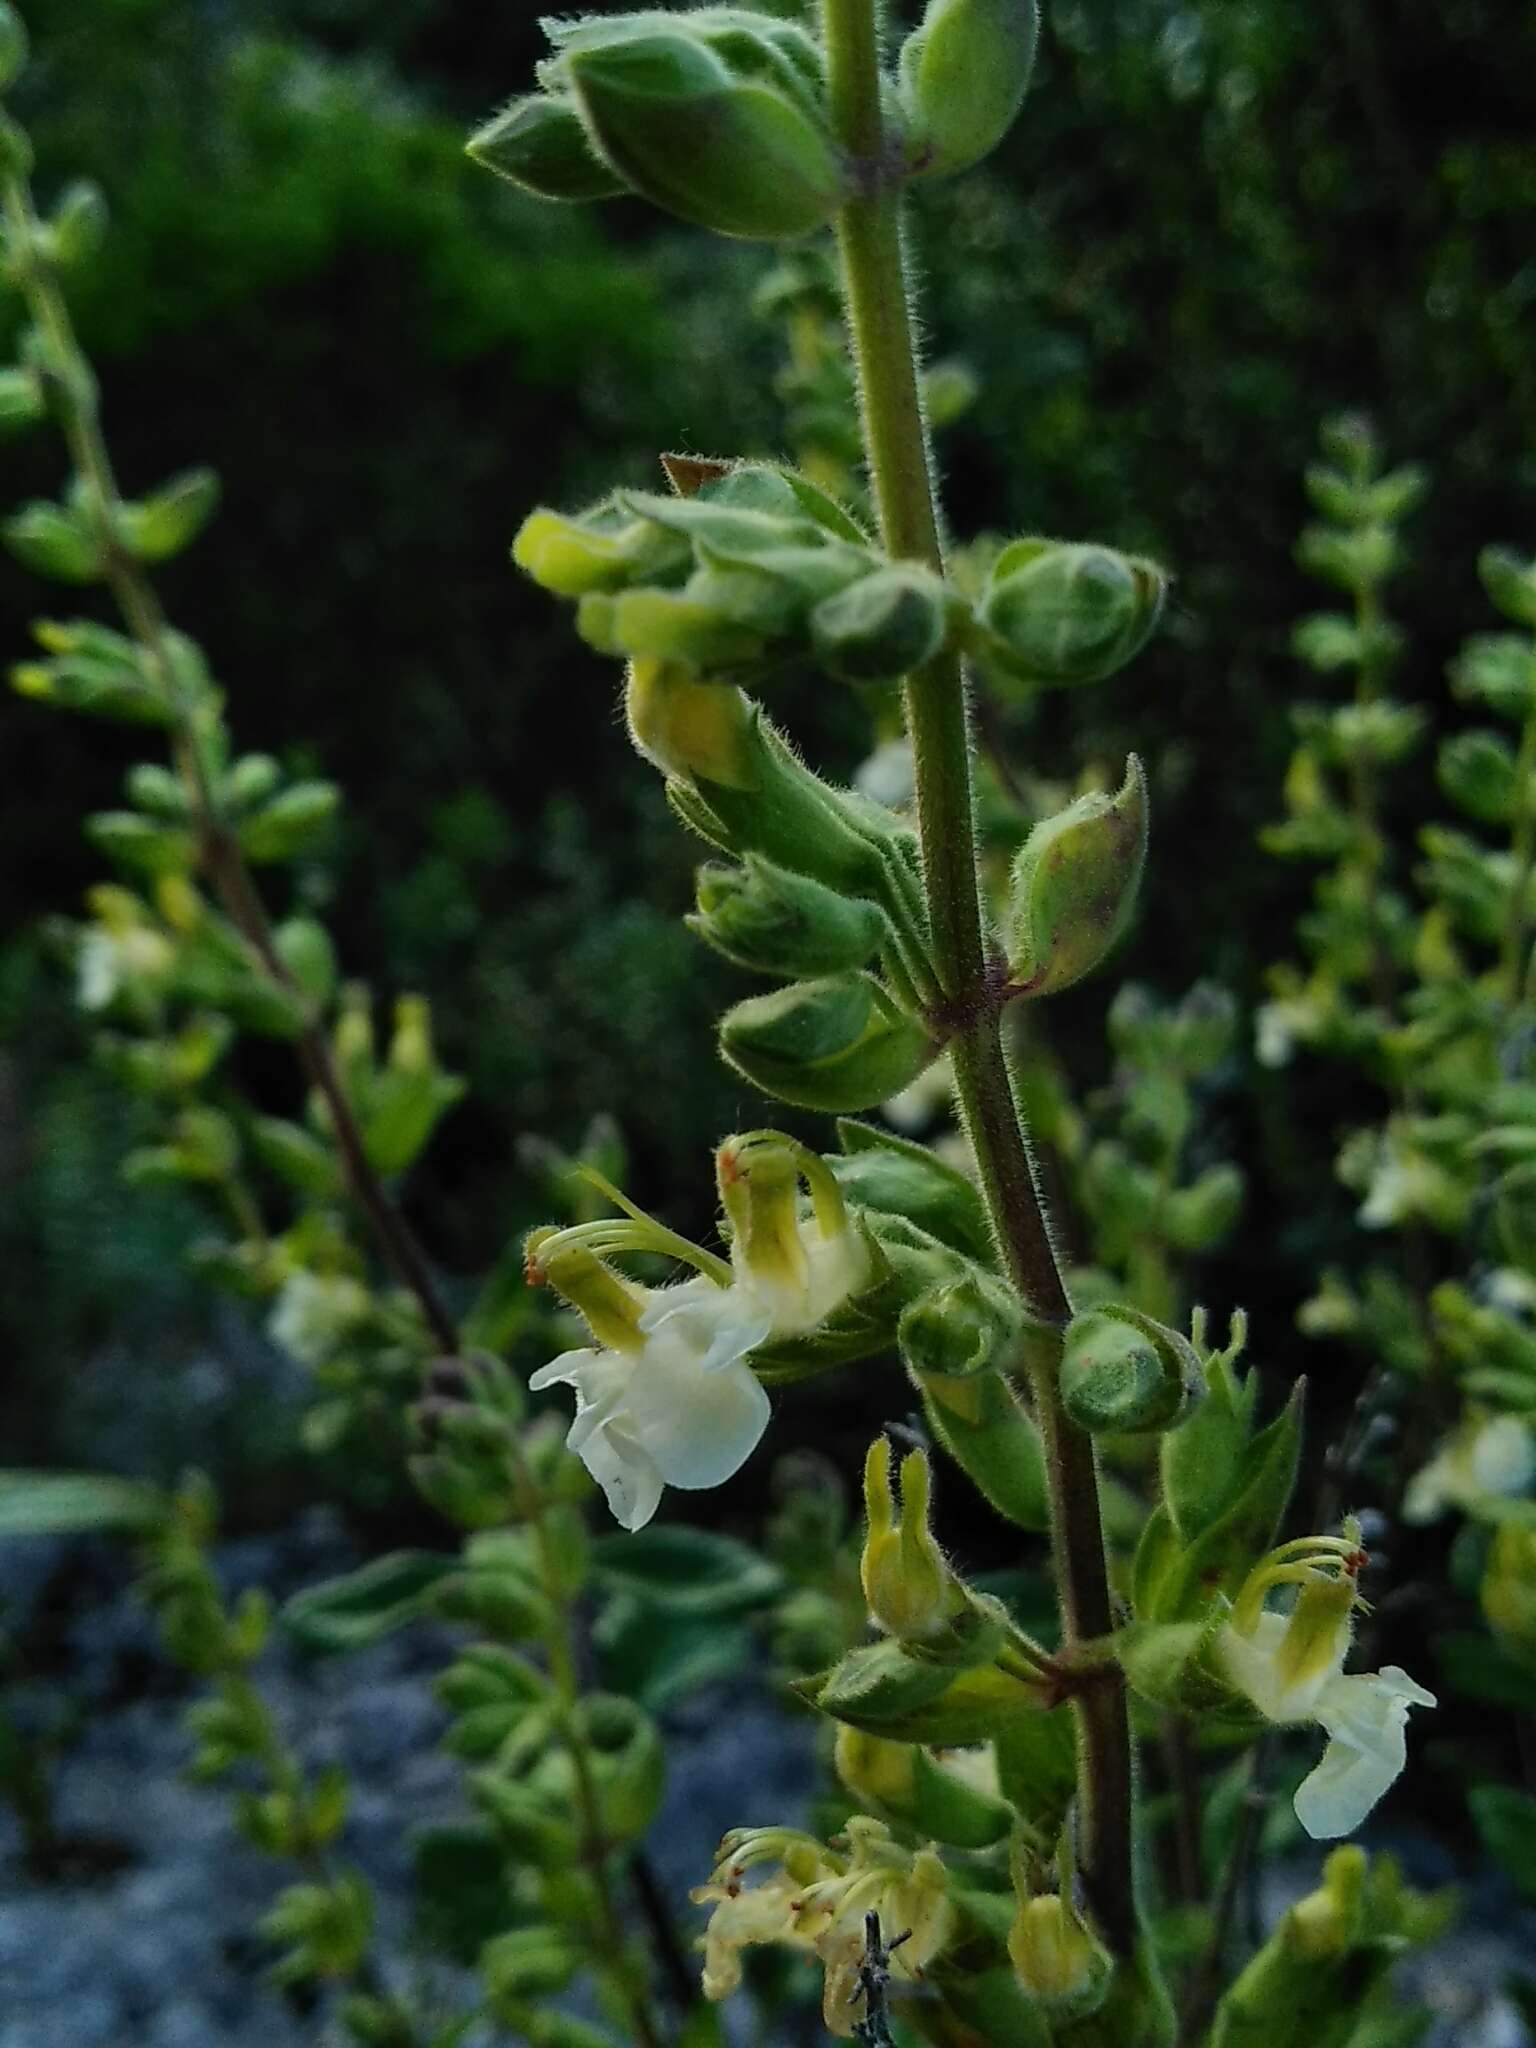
(722,118)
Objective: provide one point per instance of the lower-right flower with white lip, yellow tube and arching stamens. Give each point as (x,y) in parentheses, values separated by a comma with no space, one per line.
(1291,1668)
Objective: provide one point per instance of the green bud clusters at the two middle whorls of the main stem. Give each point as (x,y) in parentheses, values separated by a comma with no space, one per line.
(755,566)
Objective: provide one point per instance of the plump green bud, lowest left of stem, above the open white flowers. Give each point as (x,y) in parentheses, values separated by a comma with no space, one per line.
(839,1043)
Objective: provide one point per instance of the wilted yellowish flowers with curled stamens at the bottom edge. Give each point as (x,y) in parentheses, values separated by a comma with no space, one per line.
(818,1900)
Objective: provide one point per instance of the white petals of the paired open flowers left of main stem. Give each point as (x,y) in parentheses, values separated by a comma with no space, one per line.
(681,1410)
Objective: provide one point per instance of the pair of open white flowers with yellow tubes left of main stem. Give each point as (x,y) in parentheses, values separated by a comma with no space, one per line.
(665,1396)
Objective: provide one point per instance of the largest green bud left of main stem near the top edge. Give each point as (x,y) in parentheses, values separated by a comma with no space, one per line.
(734,155)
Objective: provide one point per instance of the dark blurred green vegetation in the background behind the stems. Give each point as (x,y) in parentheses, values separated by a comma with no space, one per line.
(1215,224)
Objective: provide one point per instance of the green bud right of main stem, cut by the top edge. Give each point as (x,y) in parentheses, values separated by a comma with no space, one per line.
(964,81)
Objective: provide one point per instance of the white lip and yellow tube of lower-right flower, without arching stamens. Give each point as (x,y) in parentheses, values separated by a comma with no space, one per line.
(1291,1666)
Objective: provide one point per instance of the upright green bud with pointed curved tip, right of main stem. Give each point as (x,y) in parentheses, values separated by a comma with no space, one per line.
(1076,886)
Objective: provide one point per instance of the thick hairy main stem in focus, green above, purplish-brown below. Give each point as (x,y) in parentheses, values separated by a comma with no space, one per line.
(880,325)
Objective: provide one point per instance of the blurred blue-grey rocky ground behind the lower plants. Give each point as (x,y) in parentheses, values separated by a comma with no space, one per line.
(146,1943)
